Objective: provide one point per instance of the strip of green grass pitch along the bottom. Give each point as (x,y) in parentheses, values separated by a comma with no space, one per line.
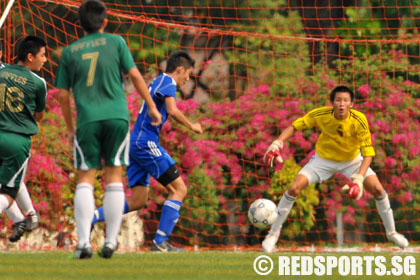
(147,265)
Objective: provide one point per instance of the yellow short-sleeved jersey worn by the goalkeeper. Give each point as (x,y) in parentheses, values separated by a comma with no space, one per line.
(340,140)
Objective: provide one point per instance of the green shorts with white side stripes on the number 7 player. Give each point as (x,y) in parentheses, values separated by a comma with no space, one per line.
(103,142)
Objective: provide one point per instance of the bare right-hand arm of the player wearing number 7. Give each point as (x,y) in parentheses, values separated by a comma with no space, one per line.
(141,87)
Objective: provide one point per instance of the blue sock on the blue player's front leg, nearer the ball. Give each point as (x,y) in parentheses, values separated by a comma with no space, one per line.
(168,219)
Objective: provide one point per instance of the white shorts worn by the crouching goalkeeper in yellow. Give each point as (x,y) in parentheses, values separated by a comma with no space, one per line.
(318,169)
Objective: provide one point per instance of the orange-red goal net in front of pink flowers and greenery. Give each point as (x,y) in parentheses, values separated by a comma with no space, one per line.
(259,66)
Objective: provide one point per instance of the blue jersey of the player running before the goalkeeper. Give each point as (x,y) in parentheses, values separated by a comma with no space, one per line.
(161,87)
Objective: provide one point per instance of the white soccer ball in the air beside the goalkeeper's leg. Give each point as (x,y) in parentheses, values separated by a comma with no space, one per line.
(262,213)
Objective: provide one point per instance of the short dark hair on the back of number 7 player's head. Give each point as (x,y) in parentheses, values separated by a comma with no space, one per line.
(92,14)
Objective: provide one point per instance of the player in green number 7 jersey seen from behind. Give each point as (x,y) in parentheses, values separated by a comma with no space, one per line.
(92,67)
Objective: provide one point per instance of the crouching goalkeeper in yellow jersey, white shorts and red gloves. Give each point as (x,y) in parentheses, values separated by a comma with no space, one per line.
(344,146)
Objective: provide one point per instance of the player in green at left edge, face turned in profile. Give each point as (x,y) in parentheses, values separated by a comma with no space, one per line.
(22,103)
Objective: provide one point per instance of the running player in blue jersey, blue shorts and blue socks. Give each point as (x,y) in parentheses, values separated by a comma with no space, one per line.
(148,157)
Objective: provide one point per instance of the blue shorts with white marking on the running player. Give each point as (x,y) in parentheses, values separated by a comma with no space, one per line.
(147,158)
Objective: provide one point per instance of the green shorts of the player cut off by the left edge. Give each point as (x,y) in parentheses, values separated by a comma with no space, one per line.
(14,156)
